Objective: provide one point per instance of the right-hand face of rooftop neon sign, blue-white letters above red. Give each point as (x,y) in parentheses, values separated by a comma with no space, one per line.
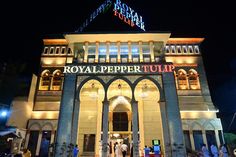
(128,15)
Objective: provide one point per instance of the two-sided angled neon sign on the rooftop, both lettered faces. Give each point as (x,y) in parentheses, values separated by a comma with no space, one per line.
(121,10)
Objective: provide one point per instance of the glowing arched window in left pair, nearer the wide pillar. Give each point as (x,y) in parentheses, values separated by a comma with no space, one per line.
(57,80)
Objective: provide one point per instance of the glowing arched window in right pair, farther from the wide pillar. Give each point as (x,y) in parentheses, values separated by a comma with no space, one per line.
(193,79)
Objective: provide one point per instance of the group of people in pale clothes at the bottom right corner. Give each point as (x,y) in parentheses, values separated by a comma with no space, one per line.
(214,151)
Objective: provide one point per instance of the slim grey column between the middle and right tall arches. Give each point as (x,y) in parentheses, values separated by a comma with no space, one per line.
(134,105)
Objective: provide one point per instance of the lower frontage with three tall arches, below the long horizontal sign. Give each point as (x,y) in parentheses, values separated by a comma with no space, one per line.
(134,109)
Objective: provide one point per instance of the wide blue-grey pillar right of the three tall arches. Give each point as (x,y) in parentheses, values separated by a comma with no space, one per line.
(173,116)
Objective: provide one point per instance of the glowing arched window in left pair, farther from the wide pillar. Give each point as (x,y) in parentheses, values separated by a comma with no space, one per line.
(44,80)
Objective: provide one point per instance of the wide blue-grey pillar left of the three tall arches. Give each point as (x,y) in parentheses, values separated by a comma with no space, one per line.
(66,113)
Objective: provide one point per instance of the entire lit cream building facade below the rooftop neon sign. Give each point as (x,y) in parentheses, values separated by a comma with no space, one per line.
(94,89)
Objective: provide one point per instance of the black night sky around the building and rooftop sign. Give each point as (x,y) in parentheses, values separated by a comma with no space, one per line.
(24,25)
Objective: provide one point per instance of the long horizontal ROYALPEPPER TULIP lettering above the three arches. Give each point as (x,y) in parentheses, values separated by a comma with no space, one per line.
(118,69)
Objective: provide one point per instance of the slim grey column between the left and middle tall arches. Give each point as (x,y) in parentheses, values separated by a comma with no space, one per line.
(105,128)
